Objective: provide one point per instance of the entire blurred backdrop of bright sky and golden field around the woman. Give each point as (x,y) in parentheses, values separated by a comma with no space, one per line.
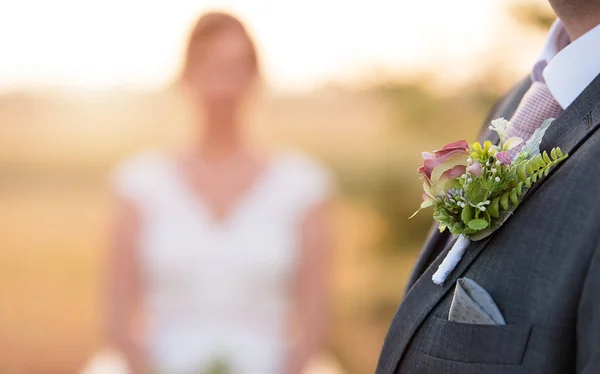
(363,86)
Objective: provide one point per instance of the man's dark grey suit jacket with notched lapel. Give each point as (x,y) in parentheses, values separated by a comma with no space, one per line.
(542,268)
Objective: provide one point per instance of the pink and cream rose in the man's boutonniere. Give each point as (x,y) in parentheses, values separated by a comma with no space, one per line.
(440,168)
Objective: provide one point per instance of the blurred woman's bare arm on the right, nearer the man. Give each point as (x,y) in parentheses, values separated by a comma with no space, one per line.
(311,291)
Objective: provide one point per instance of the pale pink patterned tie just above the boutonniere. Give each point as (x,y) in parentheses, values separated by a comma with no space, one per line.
(537,105)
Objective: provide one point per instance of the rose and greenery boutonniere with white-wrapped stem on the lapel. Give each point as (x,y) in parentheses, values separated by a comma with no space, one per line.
(473,189)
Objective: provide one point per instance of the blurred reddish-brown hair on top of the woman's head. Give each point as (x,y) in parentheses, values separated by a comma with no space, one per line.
(209,26)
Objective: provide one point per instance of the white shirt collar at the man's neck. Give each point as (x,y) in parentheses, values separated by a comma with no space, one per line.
(568,67)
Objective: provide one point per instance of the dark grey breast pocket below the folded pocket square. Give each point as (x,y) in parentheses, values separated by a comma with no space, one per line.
(484,344)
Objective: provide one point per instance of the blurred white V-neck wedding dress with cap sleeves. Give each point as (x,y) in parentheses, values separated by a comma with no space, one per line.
(219,290)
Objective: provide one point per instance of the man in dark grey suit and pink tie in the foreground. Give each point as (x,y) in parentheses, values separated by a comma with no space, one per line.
(539,274)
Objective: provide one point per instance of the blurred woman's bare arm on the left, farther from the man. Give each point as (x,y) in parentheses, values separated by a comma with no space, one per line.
(125,327)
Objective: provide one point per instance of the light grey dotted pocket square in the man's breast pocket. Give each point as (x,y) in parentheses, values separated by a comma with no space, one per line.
(472,304)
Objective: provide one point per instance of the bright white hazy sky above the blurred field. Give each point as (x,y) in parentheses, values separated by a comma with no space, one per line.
(100,44)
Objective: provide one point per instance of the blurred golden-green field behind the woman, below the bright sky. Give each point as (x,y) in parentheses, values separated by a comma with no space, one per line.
(56,153)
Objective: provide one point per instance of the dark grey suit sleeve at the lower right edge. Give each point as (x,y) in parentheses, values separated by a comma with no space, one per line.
(588,321)
